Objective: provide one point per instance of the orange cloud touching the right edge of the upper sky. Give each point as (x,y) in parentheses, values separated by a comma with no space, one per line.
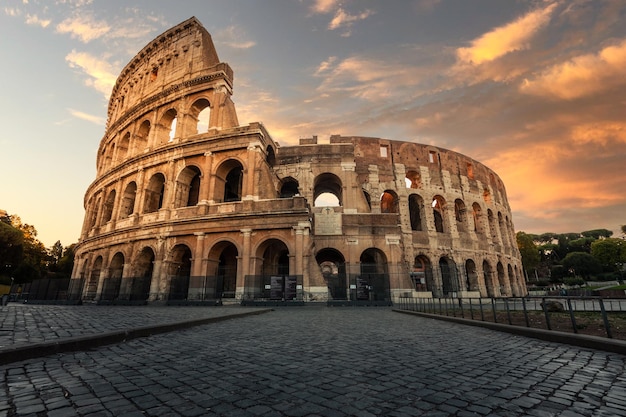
(583,75)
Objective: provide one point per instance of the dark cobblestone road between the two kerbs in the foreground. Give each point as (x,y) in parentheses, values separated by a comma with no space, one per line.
(317,361)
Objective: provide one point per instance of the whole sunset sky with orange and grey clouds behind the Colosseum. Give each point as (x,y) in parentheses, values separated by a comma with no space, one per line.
(534,89)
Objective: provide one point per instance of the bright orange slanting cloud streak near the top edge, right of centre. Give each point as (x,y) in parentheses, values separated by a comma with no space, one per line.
(514,36)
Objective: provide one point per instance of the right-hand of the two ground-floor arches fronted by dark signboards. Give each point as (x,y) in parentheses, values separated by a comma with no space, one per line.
(373,283)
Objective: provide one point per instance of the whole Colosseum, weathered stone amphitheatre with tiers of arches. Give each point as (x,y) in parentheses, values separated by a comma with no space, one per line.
(189,206)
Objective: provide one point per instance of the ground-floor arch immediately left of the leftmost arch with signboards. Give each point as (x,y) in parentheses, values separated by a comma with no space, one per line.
(222,260)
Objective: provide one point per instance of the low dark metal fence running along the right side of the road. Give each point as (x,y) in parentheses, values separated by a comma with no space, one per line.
(585,315)
